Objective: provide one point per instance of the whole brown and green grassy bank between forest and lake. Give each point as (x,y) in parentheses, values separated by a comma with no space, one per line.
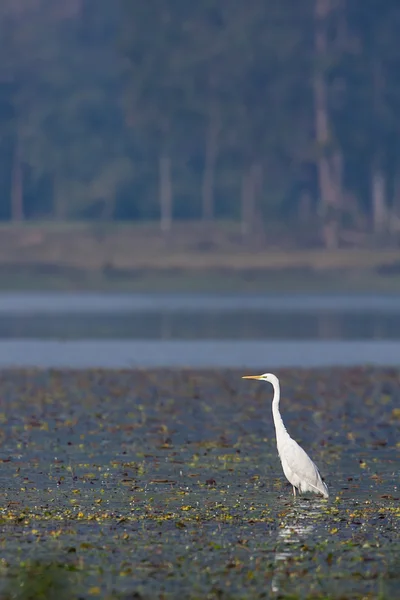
(139,258)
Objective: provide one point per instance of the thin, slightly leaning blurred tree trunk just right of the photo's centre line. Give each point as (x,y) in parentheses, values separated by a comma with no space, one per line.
(211,151)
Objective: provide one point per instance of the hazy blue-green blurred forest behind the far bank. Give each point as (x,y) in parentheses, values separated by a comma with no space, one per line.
(215,110)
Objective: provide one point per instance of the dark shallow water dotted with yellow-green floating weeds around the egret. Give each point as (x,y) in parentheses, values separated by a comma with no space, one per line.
(169,482)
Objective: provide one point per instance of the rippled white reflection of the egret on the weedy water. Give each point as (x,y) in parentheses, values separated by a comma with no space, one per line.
(295,527)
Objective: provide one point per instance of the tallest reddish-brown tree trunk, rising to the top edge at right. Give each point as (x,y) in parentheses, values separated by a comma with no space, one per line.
(329,166)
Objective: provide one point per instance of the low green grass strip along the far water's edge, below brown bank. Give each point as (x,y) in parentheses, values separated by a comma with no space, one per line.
(200,281)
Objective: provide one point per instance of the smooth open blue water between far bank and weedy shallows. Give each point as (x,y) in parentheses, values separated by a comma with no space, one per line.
(165,330)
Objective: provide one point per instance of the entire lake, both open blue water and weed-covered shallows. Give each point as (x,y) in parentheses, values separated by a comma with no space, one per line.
(166,483)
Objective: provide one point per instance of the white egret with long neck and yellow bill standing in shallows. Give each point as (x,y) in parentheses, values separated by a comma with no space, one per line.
(298,467)
